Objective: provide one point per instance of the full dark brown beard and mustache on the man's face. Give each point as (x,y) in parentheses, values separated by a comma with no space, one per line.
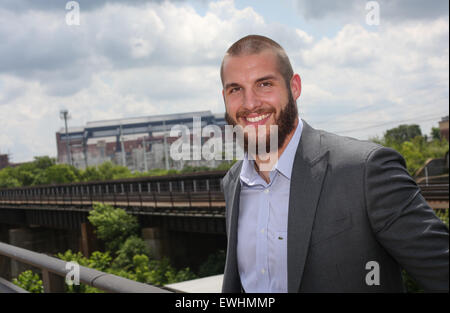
(285,122)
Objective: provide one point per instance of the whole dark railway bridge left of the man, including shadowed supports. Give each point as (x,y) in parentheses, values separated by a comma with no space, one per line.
(181,216)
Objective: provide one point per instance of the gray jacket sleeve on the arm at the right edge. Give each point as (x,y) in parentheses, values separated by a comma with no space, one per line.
(403,222)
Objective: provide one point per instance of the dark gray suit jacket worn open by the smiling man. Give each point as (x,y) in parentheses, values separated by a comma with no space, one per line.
(351,202)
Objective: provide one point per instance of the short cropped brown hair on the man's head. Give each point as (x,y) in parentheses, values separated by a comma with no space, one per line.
(254,44)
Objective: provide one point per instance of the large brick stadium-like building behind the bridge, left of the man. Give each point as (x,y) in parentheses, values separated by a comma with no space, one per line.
(140,143)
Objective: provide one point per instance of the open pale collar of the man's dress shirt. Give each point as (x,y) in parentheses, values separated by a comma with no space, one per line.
(284,165)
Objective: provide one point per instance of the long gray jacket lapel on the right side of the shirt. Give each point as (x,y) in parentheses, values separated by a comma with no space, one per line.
(308,173)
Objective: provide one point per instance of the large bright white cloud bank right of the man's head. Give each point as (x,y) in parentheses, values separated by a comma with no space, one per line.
(397,73)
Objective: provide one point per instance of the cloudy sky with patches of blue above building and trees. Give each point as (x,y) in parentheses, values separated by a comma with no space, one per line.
(366,66)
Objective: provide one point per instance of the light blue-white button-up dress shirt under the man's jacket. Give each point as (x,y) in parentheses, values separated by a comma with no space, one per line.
(262,225)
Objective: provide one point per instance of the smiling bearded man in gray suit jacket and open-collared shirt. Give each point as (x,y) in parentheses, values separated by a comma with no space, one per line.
(334,214)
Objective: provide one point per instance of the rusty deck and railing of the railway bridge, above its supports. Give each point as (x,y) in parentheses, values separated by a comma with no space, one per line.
(185,202)
